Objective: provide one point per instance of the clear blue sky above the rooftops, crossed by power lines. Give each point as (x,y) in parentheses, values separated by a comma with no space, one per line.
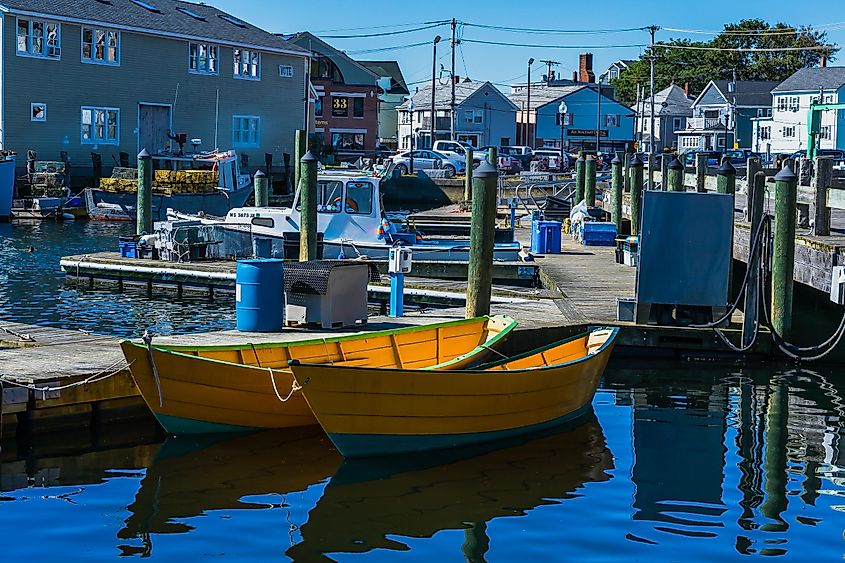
(508,64)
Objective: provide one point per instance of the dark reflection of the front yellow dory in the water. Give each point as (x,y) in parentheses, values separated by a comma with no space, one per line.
(366,505)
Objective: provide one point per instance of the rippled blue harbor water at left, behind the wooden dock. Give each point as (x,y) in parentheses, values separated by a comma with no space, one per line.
(32,286)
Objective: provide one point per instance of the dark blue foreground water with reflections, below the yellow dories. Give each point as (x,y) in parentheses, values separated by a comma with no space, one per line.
(678,464)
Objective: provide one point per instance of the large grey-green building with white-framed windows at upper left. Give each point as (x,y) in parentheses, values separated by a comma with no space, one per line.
(117,76)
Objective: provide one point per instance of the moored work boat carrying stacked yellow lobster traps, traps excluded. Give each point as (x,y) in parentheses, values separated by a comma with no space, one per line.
(230,189)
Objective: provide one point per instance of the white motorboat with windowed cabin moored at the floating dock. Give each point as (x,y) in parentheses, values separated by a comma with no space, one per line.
(351,221)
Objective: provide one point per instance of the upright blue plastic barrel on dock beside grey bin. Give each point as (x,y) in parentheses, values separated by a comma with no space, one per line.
(259,295)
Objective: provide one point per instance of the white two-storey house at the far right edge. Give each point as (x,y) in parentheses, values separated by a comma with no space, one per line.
(786,130)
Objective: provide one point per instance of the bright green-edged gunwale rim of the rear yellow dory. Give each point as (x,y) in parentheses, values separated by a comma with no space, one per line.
(181,351)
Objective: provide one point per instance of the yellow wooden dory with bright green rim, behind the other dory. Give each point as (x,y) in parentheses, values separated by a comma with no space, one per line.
(195,390)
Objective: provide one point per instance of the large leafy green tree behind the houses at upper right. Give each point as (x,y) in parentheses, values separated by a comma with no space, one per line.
(697,62)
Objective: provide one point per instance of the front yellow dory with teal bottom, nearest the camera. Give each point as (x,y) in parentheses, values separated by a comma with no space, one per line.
(369,411)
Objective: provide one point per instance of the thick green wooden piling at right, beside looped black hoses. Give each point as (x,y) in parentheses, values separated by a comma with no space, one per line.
(783,255)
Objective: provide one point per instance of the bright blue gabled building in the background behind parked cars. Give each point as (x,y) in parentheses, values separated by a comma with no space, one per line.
(615,121)
